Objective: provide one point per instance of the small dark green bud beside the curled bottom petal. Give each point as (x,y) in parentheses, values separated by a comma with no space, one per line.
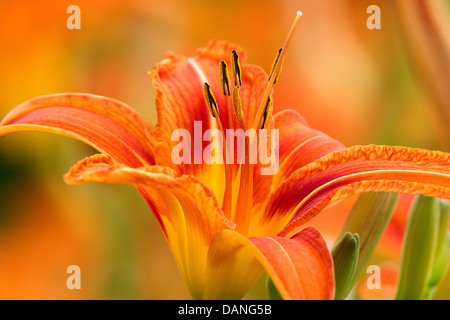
(345,257)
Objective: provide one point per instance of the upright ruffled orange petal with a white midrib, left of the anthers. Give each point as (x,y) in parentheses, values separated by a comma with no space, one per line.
(180,98)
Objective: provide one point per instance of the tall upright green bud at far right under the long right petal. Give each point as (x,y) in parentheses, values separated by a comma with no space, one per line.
(419,247)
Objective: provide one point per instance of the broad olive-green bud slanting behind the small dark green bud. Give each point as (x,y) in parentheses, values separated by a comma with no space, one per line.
(369,218)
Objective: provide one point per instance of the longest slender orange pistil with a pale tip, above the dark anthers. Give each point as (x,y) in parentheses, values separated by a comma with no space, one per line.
(275,73)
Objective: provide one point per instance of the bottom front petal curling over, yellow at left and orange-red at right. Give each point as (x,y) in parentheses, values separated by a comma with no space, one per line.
(300,267)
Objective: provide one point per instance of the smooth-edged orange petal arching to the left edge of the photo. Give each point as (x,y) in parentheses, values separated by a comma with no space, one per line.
(104,123)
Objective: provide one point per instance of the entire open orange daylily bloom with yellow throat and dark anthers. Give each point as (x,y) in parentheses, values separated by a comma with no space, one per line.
(227,223)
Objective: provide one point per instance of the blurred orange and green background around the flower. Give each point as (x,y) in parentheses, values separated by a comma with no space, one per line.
(361,86)
